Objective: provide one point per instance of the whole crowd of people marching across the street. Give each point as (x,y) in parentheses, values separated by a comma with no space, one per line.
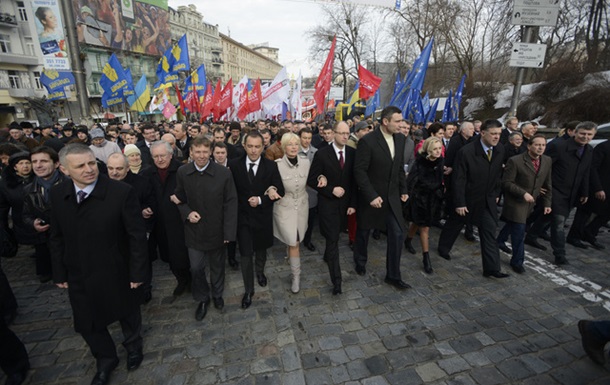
(204,196)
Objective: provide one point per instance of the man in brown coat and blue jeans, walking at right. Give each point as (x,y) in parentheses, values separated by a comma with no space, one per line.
(526,176)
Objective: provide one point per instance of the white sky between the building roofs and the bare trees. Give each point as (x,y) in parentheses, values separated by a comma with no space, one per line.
(281,23)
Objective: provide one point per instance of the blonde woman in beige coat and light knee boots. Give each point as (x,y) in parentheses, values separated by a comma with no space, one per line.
(291,212)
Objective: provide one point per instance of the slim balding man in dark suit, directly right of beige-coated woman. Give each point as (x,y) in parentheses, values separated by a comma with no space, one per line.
(337,198)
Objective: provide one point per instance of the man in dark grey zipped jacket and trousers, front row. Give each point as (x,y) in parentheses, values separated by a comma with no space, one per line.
(209,210)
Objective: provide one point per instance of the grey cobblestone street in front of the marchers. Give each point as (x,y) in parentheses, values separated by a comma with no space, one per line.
(453,327)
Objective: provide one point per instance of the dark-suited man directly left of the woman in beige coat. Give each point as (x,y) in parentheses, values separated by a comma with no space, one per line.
(259,184)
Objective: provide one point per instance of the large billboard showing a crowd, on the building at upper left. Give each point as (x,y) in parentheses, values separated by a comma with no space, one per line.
(136,26)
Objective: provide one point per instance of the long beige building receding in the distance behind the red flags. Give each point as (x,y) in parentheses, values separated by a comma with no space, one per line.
(241,60)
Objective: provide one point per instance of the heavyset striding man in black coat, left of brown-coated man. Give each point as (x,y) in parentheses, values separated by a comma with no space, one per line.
(476,178)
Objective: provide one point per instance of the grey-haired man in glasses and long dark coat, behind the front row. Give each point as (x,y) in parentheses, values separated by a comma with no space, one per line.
(168,231)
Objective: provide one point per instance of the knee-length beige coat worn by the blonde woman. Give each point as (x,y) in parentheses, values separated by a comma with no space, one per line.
(291,212)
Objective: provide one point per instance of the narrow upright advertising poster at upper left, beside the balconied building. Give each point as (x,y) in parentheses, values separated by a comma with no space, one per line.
(51,34)
